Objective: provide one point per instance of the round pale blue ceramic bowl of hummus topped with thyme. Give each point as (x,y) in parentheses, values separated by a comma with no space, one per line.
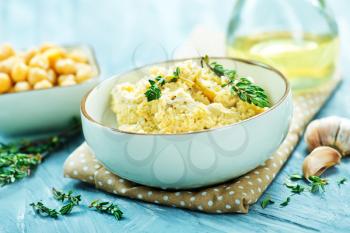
(184,124)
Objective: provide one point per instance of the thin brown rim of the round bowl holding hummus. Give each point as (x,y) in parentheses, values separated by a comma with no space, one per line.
(249,62)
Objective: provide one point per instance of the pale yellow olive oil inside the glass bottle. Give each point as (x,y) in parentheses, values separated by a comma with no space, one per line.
(307,60)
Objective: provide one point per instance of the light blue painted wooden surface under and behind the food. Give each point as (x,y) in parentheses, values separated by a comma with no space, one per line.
(122,32)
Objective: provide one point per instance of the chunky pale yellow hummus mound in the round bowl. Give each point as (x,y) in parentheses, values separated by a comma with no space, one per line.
(195,100)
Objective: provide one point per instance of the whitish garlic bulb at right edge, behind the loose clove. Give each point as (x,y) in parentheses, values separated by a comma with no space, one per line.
(331,131)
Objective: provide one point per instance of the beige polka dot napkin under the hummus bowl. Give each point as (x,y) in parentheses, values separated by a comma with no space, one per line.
(233,196)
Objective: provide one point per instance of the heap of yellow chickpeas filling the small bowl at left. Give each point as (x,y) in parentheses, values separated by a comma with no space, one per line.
(42,67)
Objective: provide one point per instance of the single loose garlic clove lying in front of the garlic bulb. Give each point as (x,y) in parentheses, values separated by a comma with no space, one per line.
(319,160)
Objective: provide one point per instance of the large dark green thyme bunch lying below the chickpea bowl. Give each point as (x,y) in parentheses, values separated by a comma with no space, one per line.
(19,158)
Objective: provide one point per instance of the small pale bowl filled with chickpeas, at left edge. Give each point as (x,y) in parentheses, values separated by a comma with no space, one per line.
(41,88)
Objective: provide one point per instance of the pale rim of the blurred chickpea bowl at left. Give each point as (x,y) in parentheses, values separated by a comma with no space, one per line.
(92,58)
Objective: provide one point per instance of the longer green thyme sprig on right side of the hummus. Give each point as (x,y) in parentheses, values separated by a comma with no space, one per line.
(246,90)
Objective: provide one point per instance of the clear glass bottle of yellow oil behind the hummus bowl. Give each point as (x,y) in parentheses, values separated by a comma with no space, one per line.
(306,54)
